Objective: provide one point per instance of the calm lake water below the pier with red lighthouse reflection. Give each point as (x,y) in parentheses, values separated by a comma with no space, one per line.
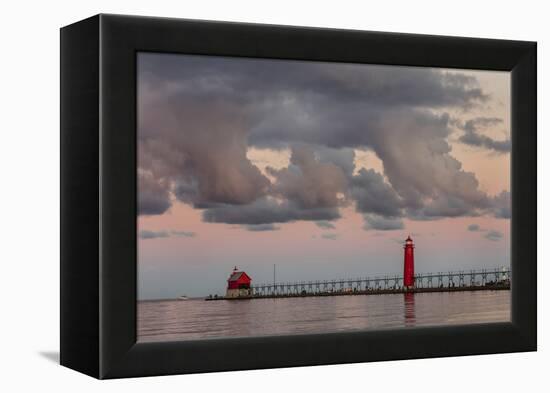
(169,320)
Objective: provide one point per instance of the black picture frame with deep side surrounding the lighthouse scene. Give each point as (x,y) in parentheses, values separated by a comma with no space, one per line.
(98,195)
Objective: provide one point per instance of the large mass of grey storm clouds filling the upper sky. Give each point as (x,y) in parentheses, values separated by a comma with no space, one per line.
(197,116)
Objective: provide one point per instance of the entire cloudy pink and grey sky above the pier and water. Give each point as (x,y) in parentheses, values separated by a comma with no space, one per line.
(320,168)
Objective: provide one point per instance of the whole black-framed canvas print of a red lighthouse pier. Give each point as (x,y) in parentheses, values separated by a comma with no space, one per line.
(240,196)
